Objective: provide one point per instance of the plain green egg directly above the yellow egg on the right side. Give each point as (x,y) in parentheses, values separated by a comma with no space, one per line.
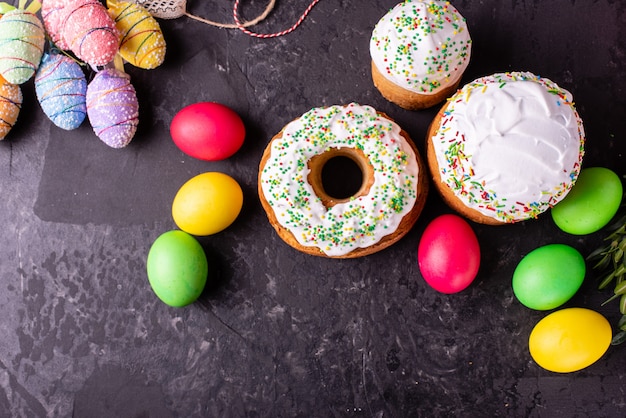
(548,276)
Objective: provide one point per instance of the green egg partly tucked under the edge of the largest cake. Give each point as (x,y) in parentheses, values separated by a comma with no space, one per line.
(592,202)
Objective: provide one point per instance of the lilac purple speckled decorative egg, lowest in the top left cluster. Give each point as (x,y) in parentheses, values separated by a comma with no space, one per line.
(112,107)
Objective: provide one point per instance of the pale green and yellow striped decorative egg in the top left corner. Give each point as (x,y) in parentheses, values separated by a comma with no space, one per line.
(22,39)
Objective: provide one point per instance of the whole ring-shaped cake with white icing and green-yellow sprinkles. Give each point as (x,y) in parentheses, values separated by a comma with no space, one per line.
(390,197)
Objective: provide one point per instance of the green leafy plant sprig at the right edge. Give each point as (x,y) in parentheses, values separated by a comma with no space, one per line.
(610,262)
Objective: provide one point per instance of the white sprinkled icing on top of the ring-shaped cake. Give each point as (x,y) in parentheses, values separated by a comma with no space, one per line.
(361,222)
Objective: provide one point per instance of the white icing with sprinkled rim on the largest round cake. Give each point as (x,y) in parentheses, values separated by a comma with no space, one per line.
(510,145)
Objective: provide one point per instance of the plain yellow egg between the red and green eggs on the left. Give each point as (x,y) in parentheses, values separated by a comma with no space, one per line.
(207,203)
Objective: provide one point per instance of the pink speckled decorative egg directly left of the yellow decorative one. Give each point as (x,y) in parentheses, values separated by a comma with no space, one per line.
(89,31)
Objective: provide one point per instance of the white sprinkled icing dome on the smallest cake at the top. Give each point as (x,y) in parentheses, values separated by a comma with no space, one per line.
(422,46)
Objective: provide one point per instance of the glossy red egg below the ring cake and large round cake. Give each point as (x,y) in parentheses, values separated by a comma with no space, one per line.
(448,254)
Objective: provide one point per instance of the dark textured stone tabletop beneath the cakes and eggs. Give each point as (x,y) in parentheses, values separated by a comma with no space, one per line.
(279,333)
